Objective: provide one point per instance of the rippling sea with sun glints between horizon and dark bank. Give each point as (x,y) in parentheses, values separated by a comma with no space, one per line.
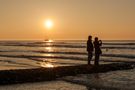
(31,54)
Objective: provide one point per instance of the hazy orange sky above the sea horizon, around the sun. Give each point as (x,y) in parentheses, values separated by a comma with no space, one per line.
(73,19)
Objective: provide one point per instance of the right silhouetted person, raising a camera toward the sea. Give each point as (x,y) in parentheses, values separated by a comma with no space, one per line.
(98,52)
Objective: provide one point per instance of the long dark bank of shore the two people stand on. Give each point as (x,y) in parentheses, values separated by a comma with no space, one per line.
(47,74)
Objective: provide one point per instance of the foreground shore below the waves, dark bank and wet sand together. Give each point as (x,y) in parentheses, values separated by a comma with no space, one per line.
(82,77)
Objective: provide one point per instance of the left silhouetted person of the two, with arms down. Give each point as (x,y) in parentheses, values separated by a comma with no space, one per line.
(89,49)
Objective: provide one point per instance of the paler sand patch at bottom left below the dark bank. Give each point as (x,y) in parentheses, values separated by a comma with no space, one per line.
(48,85)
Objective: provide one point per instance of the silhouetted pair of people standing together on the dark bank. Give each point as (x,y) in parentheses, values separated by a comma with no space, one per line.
(91,46)
